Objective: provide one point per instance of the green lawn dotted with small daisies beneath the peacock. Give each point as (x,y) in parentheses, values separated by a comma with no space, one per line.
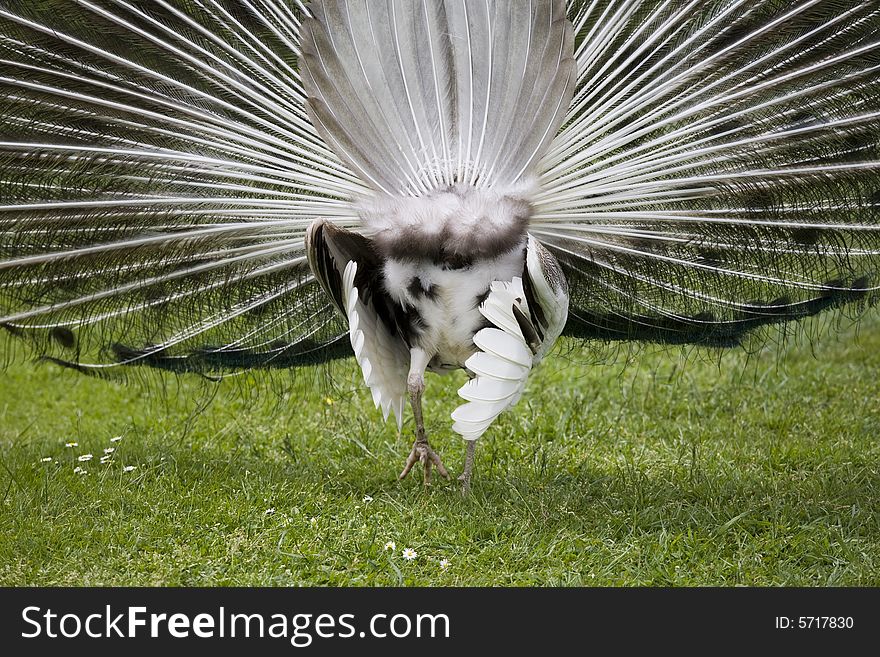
(663,471)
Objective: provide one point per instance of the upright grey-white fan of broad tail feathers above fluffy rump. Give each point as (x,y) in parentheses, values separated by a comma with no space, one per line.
(419,96)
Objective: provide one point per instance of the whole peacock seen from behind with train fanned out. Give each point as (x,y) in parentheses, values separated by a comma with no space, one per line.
(215,186)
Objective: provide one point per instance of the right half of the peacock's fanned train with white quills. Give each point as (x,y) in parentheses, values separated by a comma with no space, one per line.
(716,153)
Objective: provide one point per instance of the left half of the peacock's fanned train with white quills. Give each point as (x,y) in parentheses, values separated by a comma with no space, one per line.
(157,175)
